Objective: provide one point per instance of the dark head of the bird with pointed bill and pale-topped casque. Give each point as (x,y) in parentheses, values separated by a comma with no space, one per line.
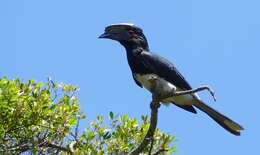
(127,34)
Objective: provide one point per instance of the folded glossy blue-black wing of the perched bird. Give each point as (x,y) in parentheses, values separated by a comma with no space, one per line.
(165,69)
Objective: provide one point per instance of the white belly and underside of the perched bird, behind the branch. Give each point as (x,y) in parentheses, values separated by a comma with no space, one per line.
(161,86)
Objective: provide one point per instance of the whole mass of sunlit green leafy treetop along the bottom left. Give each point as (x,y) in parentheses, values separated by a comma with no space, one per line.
(43,118)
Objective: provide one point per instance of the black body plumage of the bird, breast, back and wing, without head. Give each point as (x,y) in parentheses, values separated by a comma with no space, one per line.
(143,62)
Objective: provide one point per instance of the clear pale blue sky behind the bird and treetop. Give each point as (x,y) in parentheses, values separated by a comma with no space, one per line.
(211,42)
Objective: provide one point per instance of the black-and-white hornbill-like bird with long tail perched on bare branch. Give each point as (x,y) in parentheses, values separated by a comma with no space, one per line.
(147,66)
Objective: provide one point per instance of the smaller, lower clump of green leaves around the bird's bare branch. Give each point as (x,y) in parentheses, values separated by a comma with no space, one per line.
(122,135)
